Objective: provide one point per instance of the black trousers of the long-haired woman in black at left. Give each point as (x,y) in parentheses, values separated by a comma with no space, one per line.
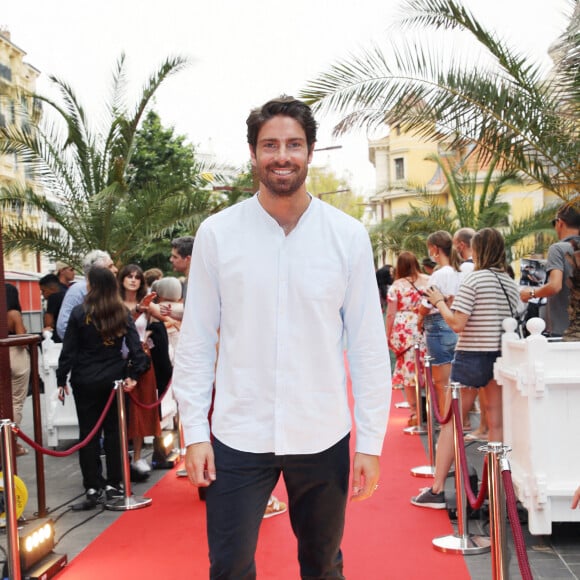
(90,401)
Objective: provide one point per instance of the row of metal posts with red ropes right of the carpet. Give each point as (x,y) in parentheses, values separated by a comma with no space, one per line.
(496,485)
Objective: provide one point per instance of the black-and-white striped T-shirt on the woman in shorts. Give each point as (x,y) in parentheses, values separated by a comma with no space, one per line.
(482,298)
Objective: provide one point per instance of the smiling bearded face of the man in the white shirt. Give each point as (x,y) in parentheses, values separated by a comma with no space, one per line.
(281,156)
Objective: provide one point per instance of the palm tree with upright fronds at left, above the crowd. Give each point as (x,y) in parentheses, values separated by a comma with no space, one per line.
(86,195)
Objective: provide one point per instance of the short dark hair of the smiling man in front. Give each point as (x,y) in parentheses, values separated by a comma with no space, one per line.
(288,107)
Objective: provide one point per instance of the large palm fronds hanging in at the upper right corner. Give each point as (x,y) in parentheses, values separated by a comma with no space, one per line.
(509,110)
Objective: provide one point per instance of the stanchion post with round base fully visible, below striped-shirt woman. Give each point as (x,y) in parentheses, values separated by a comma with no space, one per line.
(463,542)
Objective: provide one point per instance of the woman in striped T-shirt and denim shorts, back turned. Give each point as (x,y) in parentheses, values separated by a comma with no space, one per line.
(486,297)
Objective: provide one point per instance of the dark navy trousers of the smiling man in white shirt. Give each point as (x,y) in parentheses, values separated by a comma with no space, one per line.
(317,486)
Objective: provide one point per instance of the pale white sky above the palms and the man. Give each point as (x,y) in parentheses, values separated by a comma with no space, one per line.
(242,53)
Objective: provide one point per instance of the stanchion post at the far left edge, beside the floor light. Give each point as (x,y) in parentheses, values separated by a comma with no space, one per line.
(13,558)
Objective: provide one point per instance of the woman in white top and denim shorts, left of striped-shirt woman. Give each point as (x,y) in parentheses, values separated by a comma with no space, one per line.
(439,337)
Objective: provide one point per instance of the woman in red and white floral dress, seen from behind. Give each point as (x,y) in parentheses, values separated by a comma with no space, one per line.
(403,301)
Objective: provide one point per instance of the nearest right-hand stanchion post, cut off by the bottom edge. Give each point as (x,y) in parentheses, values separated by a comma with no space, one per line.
(496,453)
